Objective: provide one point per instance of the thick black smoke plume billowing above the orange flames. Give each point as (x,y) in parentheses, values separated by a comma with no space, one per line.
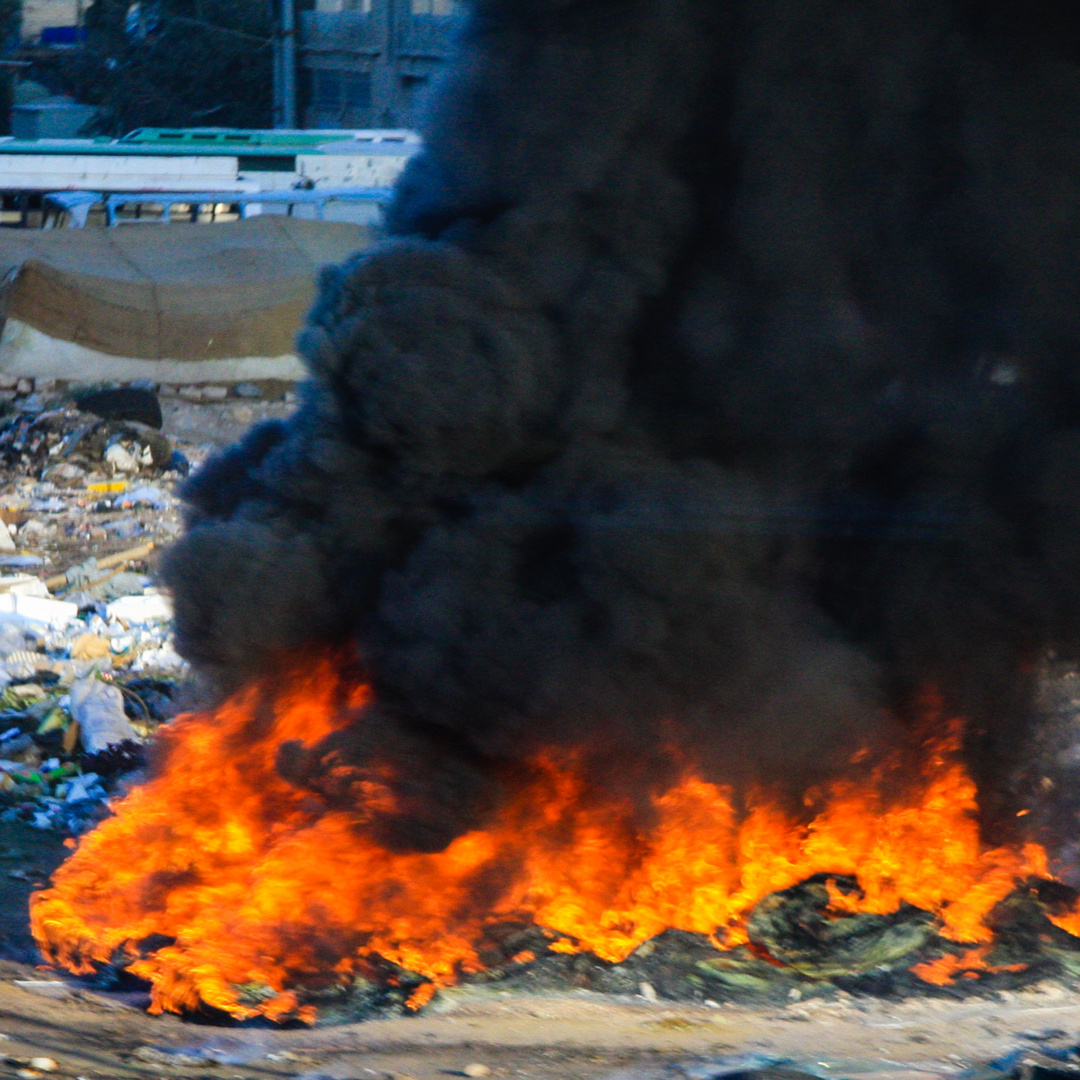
(718,388)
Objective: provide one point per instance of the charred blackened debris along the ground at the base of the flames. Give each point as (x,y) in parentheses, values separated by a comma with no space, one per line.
(798,953)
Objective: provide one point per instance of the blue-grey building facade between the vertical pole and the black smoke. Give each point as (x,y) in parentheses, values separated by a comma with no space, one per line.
(371,63)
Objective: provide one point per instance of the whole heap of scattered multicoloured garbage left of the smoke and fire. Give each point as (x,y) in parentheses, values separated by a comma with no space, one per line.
(88,669)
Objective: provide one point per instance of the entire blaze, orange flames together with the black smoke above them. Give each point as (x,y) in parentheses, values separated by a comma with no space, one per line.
(714,395)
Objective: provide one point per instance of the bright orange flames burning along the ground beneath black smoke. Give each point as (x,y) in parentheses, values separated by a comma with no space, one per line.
(220,883)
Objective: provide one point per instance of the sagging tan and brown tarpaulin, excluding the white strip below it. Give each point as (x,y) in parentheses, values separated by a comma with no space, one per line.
(179,292)
